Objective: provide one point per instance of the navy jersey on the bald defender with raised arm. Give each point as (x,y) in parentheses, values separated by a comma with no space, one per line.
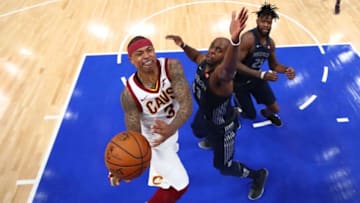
(216,109)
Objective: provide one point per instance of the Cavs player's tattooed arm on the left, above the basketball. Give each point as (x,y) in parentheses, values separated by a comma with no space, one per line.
(132,114)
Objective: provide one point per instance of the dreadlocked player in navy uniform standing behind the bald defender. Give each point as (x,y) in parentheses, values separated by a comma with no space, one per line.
(256,47)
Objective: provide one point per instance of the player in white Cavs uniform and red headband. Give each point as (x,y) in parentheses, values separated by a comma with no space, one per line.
(157,101)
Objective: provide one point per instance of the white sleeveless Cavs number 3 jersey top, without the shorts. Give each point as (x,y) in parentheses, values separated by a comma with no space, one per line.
(158,103)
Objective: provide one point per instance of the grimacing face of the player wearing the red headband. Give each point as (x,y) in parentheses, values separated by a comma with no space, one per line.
(144,58)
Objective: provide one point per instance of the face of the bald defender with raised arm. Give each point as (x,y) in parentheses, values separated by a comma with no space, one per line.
(216,51)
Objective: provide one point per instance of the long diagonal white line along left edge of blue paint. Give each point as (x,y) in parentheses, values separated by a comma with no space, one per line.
(53,138)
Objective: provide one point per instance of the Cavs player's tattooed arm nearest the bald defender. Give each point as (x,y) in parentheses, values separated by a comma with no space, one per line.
(182,93)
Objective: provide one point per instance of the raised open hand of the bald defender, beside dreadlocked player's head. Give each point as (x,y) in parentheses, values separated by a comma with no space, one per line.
(238,23)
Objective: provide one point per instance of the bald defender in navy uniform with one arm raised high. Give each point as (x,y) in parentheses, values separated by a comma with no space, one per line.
(213,89)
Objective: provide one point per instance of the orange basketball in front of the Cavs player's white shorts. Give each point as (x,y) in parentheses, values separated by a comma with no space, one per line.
(127,155)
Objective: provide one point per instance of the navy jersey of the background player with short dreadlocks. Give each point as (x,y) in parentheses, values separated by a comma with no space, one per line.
(256,57)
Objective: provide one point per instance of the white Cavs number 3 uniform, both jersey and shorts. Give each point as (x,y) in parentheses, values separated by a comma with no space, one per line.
(166,169)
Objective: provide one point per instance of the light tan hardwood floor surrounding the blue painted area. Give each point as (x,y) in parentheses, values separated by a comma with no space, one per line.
(42,43)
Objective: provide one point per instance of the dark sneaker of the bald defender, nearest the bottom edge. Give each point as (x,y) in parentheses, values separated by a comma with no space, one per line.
(257,188)
